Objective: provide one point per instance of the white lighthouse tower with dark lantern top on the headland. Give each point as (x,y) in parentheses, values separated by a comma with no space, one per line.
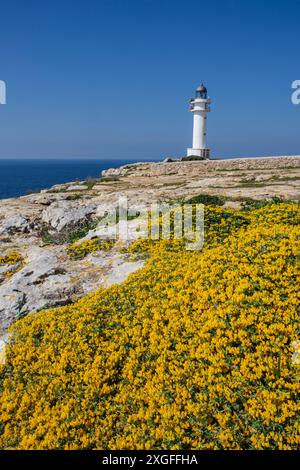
(199,106)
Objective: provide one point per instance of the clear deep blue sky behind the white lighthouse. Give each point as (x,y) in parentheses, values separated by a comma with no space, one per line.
(112,78)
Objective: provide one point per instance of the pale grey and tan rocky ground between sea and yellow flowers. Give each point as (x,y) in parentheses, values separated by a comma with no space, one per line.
(39,227)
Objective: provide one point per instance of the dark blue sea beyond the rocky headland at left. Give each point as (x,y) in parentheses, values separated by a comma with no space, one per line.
(21,177)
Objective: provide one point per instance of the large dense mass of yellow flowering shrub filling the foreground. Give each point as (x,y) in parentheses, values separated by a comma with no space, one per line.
(194,351)
